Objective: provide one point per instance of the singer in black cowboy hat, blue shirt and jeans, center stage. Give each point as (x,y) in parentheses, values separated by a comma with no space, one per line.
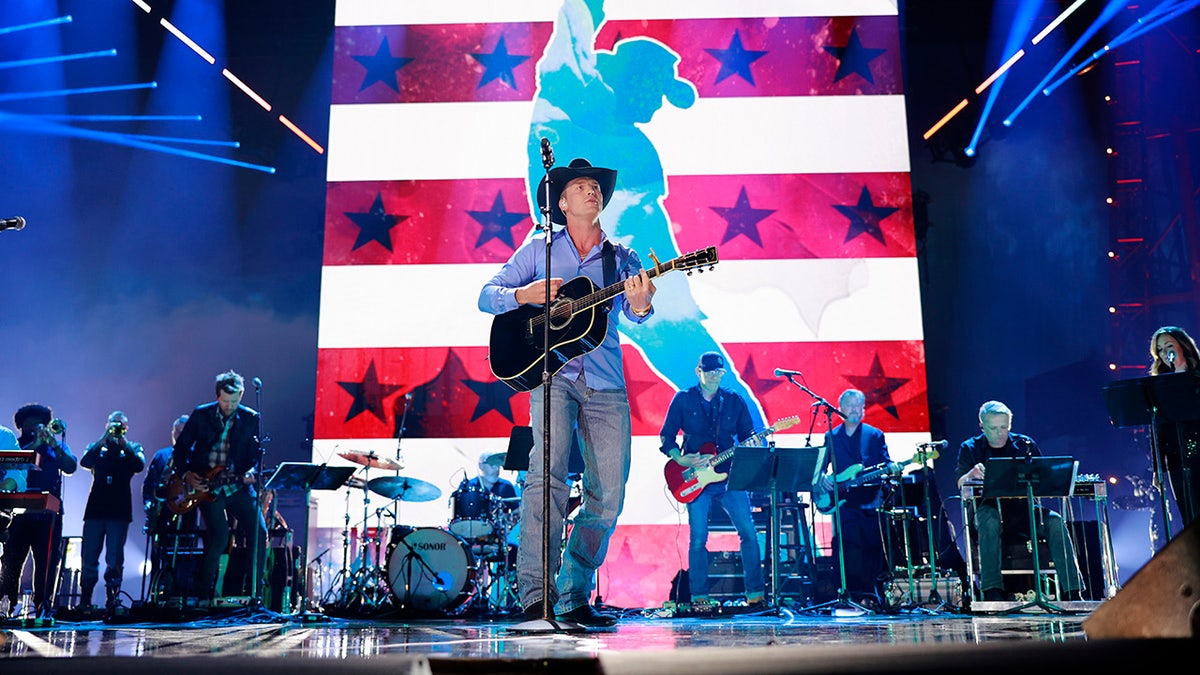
(587,393)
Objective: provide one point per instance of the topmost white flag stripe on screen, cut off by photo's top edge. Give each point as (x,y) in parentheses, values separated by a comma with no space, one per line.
(409,13)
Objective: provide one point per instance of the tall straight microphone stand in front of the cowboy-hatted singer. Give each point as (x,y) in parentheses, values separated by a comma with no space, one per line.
(548,624)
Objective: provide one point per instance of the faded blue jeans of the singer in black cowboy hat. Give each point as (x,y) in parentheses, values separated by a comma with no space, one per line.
(604,426)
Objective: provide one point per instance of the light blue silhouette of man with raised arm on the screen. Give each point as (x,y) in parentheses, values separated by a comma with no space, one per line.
(589,105)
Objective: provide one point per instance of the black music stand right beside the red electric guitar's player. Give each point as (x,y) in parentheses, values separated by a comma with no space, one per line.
(775,470)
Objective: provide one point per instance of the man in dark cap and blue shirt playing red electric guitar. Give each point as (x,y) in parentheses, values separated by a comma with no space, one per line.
(713,419)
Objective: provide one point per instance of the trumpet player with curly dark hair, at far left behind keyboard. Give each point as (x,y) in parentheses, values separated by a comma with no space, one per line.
(38,533)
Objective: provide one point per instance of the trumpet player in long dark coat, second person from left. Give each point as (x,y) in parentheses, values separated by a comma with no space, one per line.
(113,461)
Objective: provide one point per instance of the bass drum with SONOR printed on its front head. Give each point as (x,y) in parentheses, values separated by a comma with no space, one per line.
(430,569)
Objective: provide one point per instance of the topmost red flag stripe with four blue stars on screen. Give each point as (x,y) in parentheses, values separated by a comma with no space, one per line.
(447,63)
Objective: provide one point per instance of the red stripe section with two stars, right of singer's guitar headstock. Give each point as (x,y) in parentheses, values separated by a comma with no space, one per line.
(811,216)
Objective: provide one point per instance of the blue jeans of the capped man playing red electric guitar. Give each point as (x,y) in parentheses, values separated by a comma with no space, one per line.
(737,505)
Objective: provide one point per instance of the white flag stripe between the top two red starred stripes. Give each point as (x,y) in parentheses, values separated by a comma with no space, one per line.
(715,138)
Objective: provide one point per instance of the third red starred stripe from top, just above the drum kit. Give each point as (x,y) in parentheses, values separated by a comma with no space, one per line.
(361,392)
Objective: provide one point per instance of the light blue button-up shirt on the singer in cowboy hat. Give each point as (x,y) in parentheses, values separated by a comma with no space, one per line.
(529,264)
